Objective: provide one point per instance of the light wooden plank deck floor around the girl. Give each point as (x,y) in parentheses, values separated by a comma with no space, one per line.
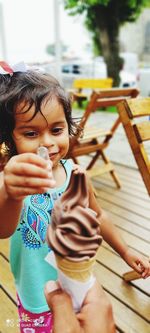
(129,209)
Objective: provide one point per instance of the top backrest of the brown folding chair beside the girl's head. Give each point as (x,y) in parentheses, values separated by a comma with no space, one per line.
(105,98)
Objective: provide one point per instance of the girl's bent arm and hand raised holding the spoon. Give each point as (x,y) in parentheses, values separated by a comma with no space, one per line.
(23,175)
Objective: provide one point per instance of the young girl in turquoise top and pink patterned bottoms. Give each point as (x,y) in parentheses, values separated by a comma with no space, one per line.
(35,111)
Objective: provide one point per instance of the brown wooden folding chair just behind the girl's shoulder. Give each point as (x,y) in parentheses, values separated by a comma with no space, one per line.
(96,140)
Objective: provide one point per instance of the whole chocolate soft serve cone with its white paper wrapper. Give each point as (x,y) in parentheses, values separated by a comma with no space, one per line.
(74,236)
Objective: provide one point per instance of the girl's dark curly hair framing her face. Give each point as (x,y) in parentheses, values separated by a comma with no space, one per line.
(31,88)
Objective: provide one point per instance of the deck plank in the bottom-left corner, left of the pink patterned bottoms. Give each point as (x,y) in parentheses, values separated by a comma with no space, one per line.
(8,315)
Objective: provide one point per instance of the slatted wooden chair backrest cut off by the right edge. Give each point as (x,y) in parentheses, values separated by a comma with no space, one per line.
(135,117)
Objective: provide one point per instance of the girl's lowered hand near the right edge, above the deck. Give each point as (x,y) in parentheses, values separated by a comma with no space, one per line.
(139,263)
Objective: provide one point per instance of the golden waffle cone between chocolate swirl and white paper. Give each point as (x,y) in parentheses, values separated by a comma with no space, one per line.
(80,271)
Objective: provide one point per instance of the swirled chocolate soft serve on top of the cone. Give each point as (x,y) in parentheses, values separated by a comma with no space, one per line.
(74,233)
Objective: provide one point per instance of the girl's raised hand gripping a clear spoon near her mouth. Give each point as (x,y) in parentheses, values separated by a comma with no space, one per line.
(27,174)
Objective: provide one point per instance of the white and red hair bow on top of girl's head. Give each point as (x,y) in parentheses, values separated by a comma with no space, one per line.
(7,69)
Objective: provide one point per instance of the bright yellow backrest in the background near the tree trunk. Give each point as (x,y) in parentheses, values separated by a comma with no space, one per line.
(92,83)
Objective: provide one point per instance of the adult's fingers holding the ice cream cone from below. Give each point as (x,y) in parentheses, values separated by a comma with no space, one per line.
(95,315)
